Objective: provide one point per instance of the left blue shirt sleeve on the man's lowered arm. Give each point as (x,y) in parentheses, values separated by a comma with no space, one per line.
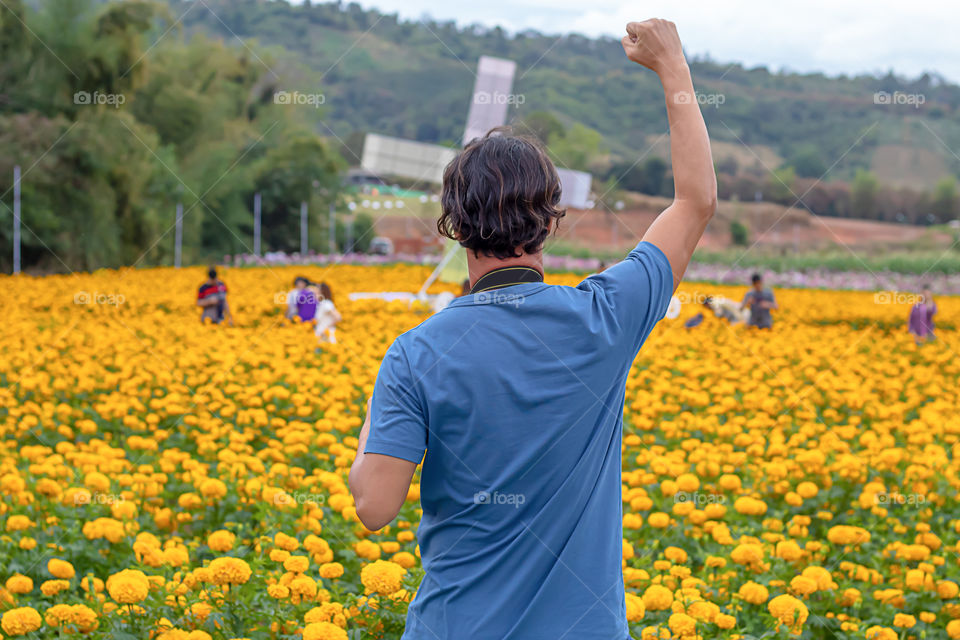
(397,425)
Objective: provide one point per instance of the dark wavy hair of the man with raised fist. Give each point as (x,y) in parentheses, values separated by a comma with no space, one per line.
(500,194)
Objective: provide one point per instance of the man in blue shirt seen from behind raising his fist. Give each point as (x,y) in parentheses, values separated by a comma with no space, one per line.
(516,392)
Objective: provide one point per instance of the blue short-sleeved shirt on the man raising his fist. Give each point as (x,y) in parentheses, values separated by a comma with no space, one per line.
(516,397)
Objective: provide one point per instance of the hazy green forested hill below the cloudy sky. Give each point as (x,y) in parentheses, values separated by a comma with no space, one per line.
(413,79)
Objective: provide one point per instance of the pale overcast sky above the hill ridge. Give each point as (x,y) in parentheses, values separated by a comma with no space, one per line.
(833,36)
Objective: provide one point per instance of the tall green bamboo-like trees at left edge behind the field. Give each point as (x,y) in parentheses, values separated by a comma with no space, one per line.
(114,117)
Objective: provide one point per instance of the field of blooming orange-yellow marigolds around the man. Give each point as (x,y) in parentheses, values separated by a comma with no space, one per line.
(164,479)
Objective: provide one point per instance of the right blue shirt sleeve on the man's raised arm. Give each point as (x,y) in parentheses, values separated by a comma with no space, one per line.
(633,295)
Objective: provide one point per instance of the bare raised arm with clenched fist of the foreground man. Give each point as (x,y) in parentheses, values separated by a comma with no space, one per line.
(656,45)
